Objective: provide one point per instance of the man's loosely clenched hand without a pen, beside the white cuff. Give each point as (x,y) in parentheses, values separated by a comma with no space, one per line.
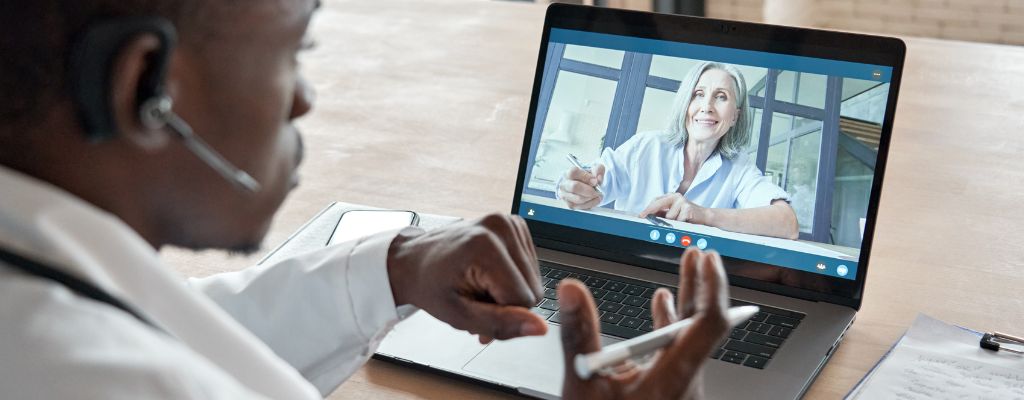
(482,277)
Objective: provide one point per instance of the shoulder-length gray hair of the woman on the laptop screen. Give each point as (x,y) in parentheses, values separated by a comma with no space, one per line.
(737,140)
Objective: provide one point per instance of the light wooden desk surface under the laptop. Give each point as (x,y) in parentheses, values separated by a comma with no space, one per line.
(432,99)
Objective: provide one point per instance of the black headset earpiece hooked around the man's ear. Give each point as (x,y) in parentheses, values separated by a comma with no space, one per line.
(92,65)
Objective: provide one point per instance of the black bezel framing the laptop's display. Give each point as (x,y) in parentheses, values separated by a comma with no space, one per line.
(759,37)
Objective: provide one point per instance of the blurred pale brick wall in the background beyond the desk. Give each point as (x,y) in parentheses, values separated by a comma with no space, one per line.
(982,21)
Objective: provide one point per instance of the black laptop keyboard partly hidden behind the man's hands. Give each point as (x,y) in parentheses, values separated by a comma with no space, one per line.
(624,308)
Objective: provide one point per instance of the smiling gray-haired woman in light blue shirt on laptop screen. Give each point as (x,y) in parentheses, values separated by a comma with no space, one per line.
(696,171)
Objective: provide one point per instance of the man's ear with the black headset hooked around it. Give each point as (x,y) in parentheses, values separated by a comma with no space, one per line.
(131,73)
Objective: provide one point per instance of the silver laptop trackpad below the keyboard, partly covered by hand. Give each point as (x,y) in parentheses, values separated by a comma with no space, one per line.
(534,363)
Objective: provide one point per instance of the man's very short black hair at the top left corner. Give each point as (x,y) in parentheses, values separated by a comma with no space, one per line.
(36,37)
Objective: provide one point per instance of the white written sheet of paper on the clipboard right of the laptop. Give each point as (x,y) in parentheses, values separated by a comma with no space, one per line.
(935,361)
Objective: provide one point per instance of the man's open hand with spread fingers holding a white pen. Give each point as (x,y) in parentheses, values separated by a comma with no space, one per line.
(675,372)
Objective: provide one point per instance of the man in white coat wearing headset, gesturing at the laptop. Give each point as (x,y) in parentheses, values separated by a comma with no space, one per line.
(102,107)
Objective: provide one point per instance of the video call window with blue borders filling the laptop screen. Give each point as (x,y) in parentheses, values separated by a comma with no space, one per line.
(762,157)
